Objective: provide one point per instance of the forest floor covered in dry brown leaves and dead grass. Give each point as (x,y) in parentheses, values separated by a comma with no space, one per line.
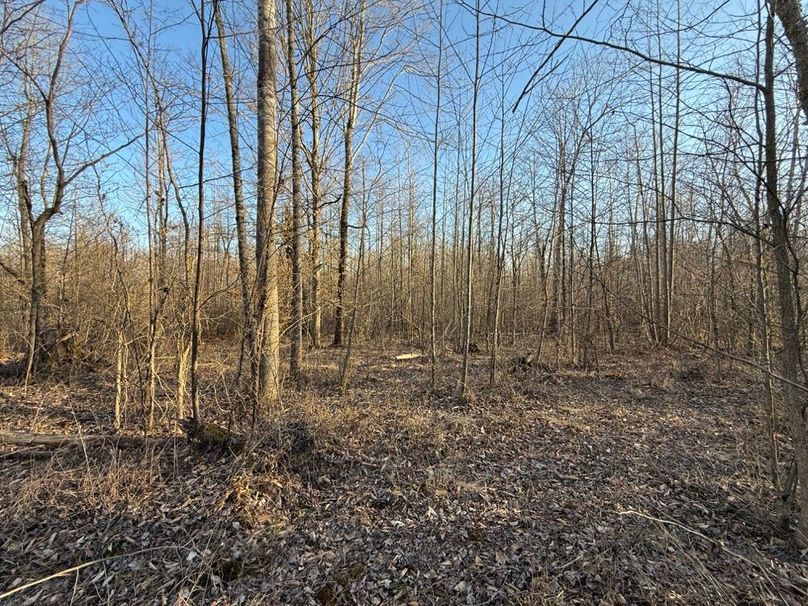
(644,482)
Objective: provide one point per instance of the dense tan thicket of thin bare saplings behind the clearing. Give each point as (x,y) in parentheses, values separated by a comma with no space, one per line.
(100,317)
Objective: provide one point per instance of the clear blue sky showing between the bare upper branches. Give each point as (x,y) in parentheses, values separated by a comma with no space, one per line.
(512,49)
